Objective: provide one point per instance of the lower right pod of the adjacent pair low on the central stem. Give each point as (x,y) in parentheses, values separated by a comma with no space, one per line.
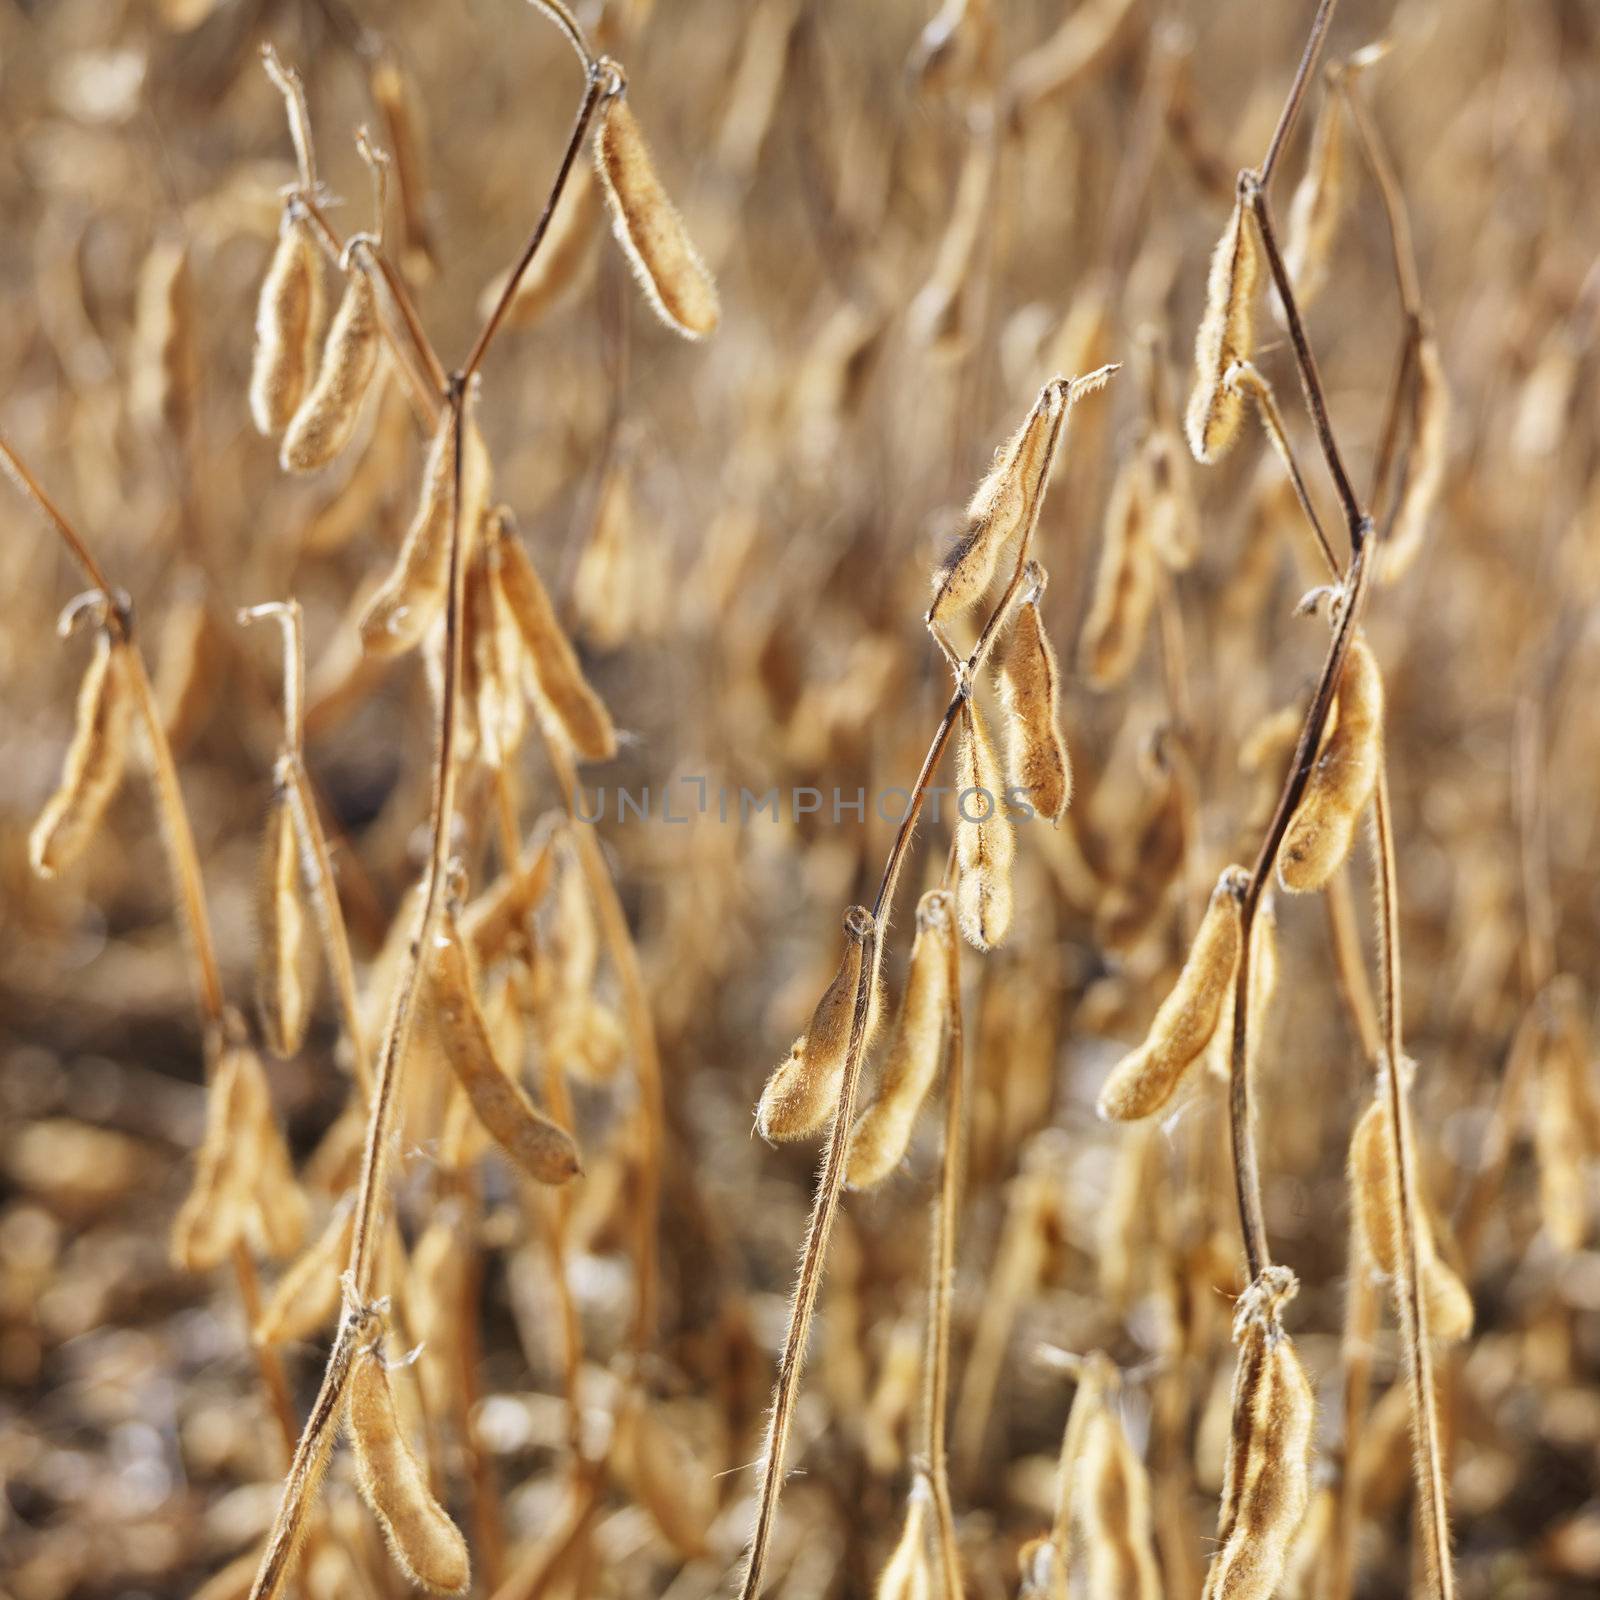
(913,1062)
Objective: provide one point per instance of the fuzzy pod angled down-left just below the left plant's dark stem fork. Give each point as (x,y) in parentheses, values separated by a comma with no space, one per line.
(414,594)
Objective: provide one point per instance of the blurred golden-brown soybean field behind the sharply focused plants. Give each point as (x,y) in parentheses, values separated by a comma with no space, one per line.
(914,220)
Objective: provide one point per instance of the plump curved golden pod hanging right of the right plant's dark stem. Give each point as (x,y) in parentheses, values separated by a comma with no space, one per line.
(1342,783)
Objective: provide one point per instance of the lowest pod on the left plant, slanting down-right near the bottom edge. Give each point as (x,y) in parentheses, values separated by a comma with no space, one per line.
(425,1543)
